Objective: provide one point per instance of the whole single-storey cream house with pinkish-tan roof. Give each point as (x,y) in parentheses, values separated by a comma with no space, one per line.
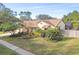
(44,24)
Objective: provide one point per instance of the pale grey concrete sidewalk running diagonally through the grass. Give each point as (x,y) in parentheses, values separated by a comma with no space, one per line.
(20,51)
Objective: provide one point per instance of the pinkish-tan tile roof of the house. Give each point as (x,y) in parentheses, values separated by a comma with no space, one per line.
(33,23)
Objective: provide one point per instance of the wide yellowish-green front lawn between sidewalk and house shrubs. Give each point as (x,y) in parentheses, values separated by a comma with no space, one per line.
(39,45)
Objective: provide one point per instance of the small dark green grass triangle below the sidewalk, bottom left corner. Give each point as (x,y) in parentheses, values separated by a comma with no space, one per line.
(6,51)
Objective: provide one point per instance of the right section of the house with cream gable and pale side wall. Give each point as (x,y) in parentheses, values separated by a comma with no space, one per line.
(53,23)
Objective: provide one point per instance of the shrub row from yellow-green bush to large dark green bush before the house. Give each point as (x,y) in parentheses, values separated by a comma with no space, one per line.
(52,34)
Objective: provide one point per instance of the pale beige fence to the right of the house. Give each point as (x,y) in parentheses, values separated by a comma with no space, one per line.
(71,33)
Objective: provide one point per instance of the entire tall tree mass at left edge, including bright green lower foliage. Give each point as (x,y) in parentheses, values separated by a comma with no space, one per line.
(8,21)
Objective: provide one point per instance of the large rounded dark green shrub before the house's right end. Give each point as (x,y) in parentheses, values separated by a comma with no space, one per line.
(54,34)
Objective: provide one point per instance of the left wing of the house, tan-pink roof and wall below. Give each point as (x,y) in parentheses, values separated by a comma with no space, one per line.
(30,25)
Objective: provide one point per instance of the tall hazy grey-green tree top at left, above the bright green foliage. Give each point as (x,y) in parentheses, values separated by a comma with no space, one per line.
(6,14)
